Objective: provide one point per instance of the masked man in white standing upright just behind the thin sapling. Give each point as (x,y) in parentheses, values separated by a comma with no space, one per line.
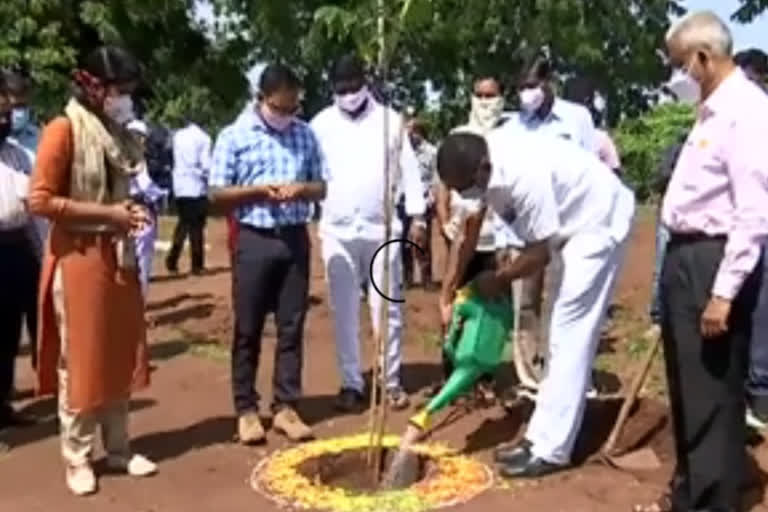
(353,221)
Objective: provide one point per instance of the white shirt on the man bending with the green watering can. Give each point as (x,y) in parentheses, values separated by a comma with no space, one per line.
(553,189)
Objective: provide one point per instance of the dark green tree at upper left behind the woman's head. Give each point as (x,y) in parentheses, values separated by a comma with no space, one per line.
(185,72)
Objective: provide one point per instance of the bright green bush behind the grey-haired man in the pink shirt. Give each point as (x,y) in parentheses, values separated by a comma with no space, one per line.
(642,141)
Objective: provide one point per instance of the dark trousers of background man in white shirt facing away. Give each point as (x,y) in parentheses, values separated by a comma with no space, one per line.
(192,216)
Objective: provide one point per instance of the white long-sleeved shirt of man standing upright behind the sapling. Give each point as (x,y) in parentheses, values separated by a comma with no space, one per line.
(353,148)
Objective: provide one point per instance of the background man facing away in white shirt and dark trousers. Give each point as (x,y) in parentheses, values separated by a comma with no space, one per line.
(191,166)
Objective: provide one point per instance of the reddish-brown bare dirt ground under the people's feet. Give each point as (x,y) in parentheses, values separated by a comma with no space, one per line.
(184,421)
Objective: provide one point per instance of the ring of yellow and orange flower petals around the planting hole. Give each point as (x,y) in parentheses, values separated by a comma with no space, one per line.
(456,480)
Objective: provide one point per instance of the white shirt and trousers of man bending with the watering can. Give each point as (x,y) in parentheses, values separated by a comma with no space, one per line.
(553,189)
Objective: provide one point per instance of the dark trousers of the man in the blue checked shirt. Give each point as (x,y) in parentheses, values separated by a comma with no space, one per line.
(271,274)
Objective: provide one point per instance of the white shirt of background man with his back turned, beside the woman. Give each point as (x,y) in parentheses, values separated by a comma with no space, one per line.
(191,162)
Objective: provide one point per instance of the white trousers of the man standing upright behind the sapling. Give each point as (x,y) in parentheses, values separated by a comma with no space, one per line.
(347,269)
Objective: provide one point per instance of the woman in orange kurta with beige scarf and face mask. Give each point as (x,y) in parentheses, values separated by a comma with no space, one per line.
(91,336)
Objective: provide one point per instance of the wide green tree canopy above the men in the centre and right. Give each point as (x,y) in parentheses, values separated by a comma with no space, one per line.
(447,41)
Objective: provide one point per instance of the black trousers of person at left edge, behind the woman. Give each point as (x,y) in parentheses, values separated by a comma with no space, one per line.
(19,274)
